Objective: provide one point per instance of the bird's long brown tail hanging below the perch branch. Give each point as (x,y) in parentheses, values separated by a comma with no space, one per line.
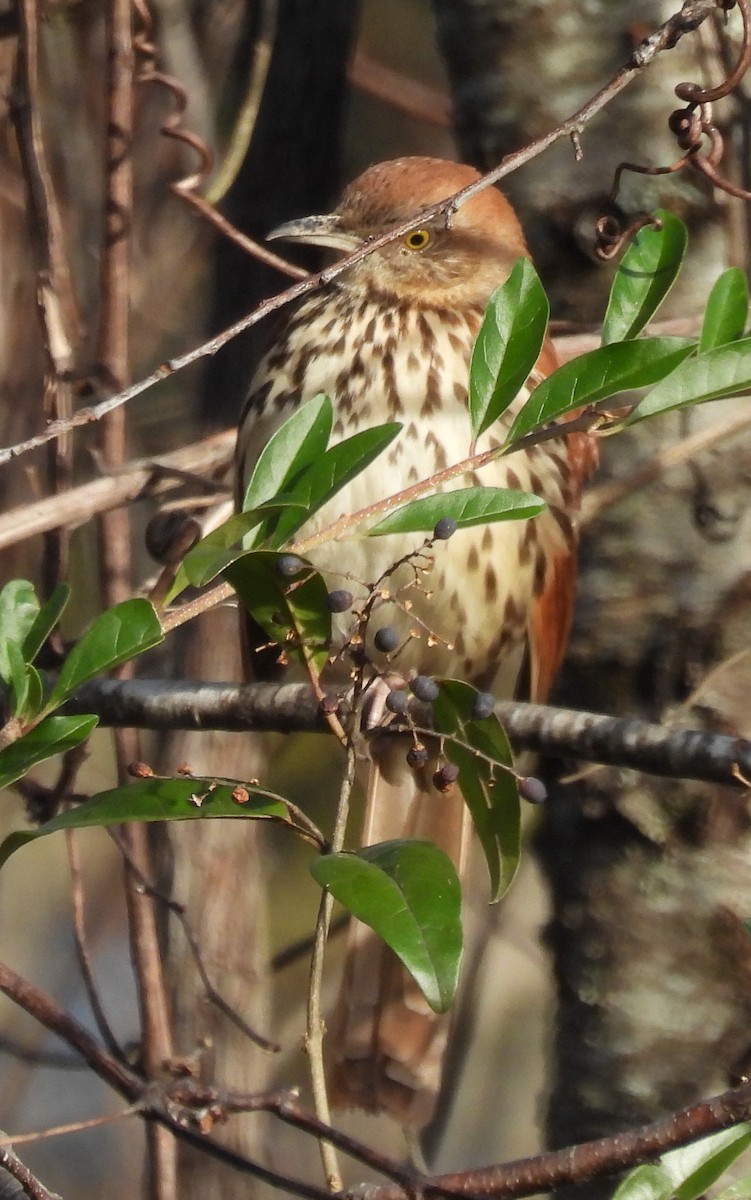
(388,1046)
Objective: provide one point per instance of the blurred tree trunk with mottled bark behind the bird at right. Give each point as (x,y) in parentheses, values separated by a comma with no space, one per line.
(650,880)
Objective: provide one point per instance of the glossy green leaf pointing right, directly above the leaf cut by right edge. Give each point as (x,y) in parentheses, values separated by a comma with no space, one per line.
(600,375)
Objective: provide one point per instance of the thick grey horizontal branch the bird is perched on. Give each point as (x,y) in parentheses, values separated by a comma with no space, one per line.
(292,709)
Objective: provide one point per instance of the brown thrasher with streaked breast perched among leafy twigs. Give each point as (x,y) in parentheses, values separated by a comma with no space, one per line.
(392,340)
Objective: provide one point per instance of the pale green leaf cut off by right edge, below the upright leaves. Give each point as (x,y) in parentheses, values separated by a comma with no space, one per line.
(711,376)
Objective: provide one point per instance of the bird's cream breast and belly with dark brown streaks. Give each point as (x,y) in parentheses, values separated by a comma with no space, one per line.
(461,607)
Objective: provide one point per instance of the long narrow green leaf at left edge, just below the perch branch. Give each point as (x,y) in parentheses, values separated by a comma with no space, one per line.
(154,800)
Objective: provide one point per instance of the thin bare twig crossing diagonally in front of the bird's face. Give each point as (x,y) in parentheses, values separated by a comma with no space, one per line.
(692,16)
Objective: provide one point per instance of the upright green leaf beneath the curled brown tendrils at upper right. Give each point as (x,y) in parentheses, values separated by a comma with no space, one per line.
(646,275)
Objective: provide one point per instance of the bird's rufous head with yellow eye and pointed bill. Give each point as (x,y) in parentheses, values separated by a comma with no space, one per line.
(436,263)
